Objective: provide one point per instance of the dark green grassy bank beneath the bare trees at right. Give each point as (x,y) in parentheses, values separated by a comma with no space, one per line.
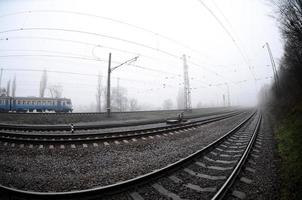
(289,138)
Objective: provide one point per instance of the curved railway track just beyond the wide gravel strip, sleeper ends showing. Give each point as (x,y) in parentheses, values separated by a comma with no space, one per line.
(39,138)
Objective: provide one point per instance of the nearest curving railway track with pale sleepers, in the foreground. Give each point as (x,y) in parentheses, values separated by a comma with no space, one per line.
(208,173)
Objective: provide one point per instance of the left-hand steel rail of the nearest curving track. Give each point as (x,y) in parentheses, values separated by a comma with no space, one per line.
(122,186)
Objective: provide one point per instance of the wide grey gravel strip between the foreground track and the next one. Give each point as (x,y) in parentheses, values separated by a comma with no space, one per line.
(67,169)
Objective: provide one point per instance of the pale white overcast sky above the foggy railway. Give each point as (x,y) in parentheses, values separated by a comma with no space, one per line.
(77,36)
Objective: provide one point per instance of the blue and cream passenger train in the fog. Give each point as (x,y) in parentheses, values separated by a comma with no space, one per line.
(34,104)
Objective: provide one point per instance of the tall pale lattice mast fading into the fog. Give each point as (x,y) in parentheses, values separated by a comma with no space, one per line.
(187,91)
